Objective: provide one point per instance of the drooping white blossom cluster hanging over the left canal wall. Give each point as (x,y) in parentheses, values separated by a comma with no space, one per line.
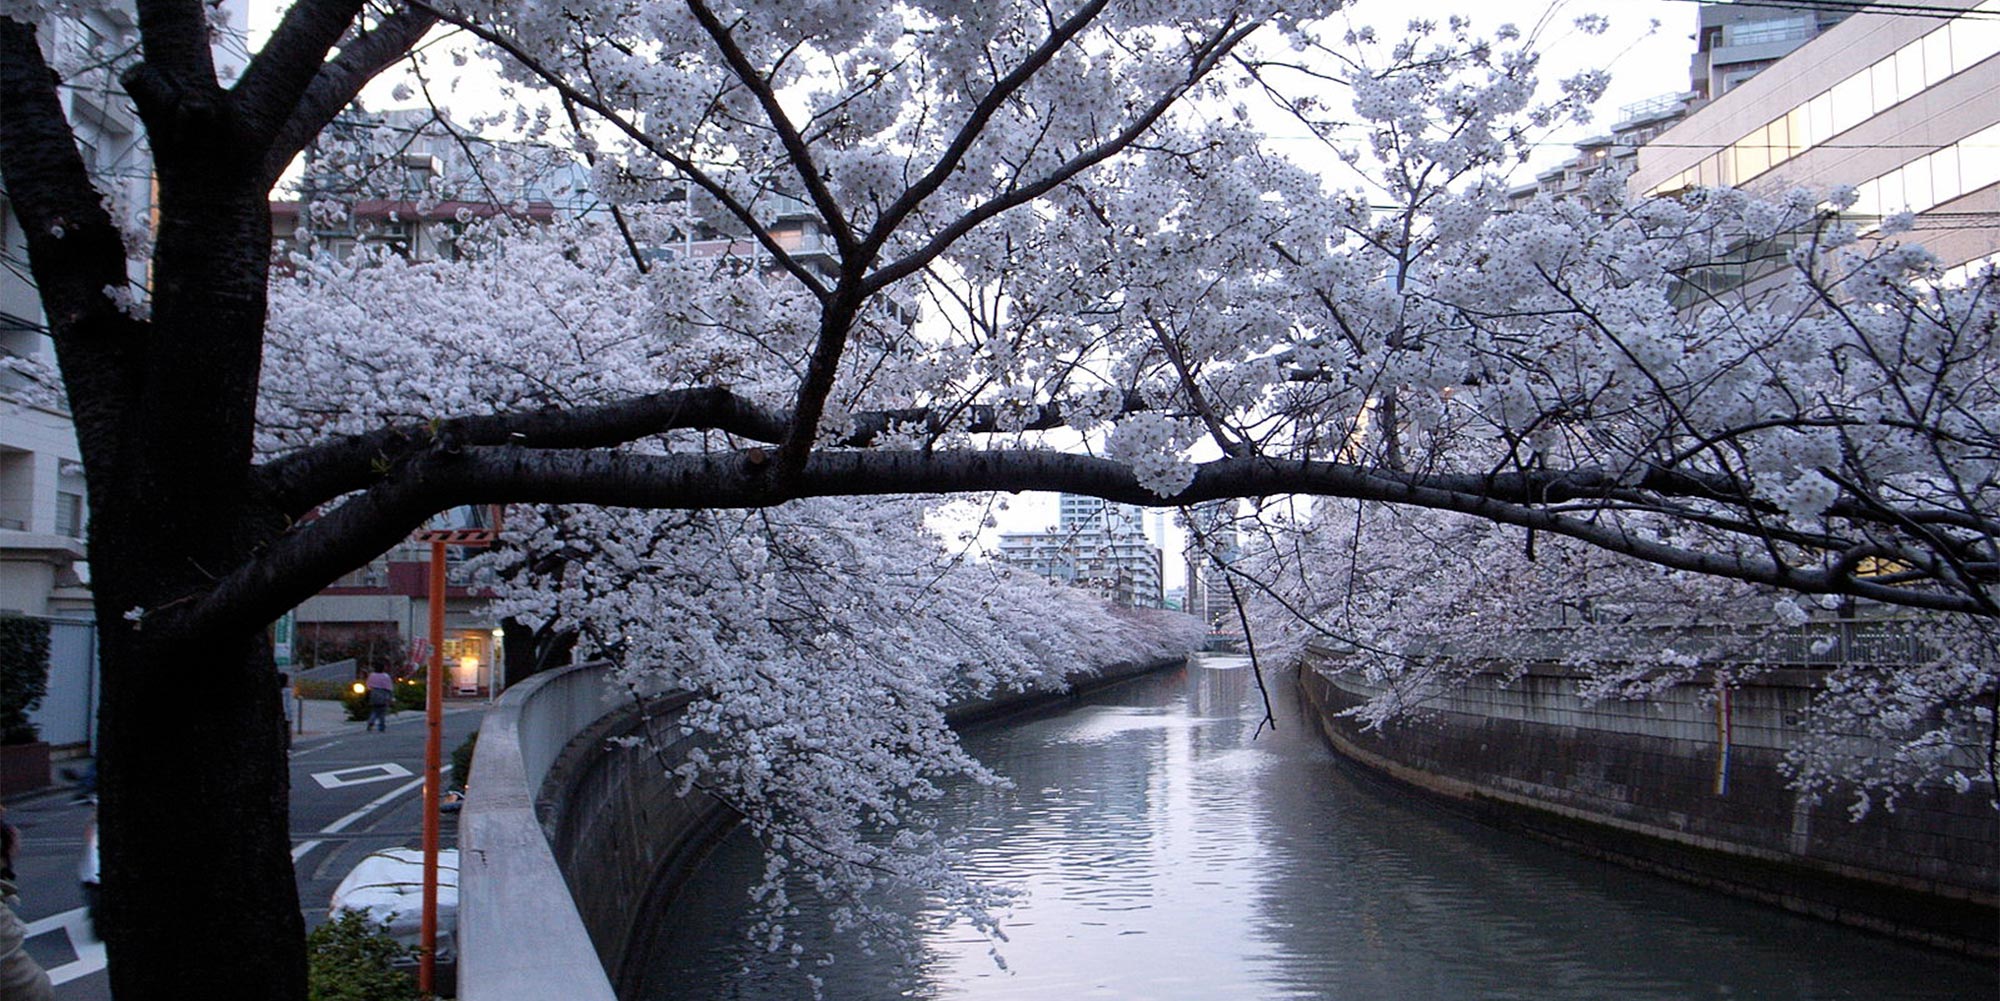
(825,642)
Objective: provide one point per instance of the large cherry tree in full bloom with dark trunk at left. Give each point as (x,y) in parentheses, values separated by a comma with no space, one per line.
(1035,227)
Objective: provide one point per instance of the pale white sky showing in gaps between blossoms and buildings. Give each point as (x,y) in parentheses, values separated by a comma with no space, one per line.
(1647,53)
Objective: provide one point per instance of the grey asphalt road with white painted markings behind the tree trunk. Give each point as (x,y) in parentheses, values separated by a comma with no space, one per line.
(353,792)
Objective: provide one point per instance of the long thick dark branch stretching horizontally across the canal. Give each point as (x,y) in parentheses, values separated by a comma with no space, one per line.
(447,475)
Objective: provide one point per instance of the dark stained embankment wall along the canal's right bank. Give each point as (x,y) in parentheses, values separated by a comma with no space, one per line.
(1681,788)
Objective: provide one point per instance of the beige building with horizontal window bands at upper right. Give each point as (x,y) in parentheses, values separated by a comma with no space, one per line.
(1901,107)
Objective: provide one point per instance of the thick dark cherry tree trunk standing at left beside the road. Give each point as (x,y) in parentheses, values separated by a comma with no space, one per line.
(195,802)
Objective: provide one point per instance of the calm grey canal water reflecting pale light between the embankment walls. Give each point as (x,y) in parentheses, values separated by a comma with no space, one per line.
(1171,852)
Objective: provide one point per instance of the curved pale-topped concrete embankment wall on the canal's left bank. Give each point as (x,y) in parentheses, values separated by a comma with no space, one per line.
(575,836)
